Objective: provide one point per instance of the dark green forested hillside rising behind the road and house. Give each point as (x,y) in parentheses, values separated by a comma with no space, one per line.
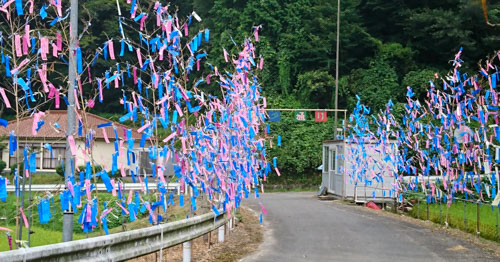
(385,45)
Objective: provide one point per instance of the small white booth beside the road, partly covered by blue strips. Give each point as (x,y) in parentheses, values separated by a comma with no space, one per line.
(359,173)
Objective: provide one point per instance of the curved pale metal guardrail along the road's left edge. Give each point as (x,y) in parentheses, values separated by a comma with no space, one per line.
(124,245)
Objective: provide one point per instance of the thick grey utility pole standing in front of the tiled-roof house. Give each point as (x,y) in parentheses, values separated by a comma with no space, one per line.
(73,38)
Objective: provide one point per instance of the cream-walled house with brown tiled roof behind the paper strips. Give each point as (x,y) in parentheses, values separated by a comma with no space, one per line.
(53,132)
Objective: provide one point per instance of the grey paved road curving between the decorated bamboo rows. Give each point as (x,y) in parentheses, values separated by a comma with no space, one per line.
(302,228)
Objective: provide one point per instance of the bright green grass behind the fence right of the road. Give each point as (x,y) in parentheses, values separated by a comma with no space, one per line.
(487,220)
